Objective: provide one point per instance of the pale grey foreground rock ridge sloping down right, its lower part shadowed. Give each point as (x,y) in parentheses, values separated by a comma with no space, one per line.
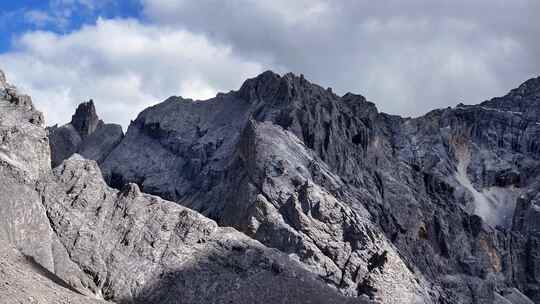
(140,248)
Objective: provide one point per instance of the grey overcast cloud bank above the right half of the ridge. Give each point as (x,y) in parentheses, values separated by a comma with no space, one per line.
(407,57)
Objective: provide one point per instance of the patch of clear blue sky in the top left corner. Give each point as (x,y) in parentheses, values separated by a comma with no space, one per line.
(59,16)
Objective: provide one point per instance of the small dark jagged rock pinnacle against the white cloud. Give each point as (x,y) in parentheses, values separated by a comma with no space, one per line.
(86,135)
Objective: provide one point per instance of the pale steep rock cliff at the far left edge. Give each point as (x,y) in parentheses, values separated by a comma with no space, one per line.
(24,161)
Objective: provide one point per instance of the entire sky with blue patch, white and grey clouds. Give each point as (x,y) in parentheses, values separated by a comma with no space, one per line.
(406,56)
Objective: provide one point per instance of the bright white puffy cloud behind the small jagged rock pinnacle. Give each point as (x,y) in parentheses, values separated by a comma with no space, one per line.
(123,65)
